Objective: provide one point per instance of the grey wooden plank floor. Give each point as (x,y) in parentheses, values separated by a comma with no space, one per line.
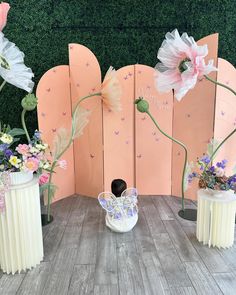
(160,256)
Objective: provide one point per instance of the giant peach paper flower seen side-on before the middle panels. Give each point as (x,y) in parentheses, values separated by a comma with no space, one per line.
(111,90)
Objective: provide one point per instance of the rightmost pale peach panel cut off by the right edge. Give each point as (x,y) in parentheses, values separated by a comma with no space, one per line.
(225,113)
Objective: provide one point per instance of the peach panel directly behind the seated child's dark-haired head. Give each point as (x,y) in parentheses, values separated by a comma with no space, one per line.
(119,134)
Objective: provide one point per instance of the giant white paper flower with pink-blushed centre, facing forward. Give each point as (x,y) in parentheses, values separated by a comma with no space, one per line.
(182,63)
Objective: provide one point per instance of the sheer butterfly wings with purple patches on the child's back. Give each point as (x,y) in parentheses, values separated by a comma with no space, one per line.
(122,207)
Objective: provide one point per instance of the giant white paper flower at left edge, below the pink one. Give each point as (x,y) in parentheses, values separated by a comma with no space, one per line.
(12,67)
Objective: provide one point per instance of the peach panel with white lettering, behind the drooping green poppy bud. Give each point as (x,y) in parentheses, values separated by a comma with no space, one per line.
(153,150)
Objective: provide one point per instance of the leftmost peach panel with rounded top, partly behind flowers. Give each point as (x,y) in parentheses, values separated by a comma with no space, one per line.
(54,111)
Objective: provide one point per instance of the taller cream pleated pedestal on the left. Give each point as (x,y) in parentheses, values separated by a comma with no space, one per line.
(21,243)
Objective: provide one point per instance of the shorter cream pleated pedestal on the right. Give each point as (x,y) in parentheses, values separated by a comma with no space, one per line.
(216,217)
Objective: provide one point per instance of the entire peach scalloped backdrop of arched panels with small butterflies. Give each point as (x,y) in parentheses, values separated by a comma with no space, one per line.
(133,148)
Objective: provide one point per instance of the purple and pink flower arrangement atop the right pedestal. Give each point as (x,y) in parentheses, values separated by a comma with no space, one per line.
(212,176)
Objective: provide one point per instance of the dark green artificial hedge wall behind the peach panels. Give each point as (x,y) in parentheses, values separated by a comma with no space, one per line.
(119,32)
